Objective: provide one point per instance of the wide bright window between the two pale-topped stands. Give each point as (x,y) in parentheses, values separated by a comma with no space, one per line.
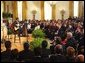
(47,11)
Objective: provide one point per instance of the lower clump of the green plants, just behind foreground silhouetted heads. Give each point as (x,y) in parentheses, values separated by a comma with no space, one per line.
(36,43)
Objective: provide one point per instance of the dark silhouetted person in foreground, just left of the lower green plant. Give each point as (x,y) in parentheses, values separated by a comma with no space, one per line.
(26,54)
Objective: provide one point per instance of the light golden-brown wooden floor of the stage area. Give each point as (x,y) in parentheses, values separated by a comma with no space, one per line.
(19,45)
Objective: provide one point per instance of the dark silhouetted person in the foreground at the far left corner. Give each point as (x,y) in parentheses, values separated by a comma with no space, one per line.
(6,55)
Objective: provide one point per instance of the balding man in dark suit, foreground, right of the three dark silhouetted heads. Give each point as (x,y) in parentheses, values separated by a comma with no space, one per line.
(58,56)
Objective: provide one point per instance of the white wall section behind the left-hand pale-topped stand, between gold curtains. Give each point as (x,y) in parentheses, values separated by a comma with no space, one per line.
(33,5)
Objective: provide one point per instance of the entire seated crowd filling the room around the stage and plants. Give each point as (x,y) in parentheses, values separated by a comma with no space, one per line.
(67,41)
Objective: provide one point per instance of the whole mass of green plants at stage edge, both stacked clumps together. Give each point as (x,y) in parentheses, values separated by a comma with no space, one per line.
(39,36)
